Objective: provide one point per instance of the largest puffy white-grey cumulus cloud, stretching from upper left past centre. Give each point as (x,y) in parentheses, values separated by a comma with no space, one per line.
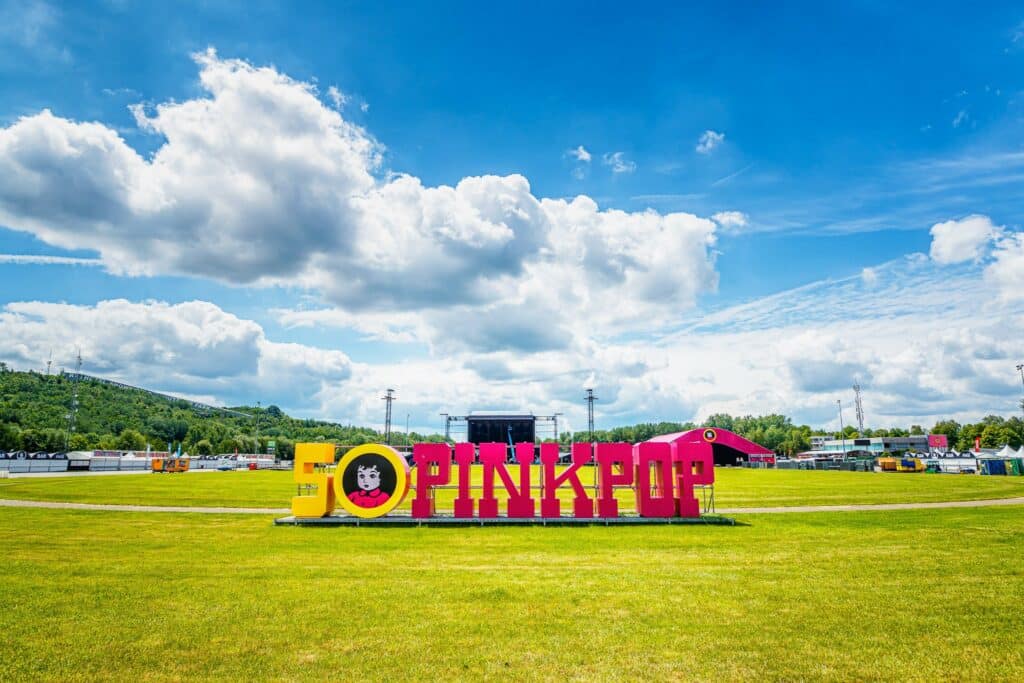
(259,183)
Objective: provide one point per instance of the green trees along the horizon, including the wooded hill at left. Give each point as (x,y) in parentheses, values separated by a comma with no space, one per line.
(34,417)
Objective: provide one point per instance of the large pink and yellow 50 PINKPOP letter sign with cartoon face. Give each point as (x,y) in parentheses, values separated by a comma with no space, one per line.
(372,481)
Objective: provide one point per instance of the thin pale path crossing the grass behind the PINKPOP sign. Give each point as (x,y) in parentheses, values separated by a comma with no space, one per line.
(726,511)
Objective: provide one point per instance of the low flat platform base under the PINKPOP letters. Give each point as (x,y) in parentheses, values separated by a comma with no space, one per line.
(406,521)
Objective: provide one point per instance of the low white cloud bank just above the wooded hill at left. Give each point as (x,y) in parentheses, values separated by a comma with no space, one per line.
(193,349)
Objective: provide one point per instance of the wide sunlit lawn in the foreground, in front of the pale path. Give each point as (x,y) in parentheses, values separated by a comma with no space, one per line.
(915,595)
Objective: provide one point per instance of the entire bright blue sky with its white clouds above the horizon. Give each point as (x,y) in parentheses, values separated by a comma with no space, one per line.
(801,149)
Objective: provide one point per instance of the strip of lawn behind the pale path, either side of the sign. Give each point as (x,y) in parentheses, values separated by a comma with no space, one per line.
(735,488)
